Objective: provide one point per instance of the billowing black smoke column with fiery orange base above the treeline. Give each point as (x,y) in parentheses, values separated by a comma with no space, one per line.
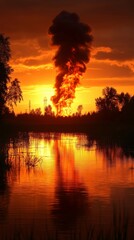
(73,39)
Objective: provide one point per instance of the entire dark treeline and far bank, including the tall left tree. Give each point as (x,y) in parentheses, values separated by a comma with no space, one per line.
(114,113)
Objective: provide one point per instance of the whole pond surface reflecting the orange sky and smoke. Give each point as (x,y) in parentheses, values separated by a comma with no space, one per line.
(64,186)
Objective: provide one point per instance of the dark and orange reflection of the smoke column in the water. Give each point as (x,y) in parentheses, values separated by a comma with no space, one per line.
(71,207)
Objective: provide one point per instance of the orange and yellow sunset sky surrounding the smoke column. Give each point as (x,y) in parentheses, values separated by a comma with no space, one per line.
(26,22)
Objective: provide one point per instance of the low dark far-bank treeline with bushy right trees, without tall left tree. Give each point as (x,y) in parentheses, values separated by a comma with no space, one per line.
(114,118)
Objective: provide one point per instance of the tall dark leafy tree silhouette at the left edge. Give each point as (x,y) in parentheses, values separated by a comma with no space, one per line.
(10,91)
